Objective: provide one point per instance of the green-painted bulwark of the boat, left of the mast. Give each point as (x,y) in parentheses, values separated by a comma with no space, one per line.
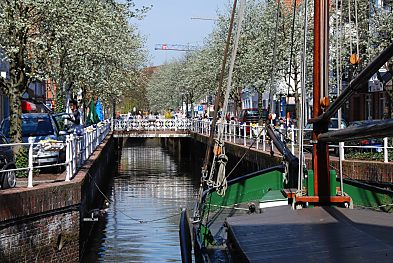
(249,190)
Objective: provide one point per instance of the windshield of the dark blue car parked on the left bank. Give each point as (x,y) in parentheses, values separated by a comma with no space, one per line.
(32,126)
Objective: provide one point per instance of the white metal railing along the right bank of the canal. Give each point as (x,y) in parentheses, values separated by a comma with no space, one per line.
(246,135)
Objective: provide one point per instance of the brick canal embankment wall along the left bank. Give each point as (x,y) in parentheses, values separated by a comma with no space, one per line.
(46,222)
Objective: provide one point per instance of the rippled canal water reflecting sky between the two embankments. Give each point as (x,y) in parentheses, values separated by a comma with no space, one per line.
(141,224)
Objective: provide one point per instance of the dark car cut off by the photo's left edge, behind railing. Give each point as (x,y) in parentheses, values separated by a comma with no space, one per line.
(7,162)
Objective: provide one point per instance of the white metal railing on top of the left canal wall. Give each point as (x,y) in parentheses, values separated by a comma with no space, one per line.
(77,147)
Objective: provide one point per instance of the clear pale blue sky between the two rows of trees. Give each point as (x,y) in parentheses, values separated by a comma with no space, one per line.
(170,22)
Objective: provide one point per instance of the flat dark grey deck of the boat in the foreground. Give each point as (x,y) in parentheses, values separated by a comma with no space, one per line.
(321,234)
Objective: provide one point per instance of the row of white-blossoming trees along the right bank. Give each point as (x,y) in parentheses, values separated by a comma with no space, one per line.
(196,74)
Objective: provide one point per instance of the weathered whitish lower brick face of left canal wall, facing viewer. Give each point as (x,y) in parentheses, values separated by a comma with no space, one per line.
(47,238)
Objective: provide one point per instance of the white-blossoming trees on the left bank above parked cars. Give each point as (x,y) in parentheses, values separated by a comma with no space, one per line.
(79,45)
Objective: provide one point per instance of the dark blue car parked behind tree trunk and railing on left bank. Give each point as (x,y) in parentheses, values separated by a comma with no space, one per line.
(42,127)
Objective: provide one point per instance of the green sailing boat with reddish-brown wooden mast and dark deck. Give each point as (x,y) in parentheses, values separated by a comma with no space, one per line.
(289,213)
